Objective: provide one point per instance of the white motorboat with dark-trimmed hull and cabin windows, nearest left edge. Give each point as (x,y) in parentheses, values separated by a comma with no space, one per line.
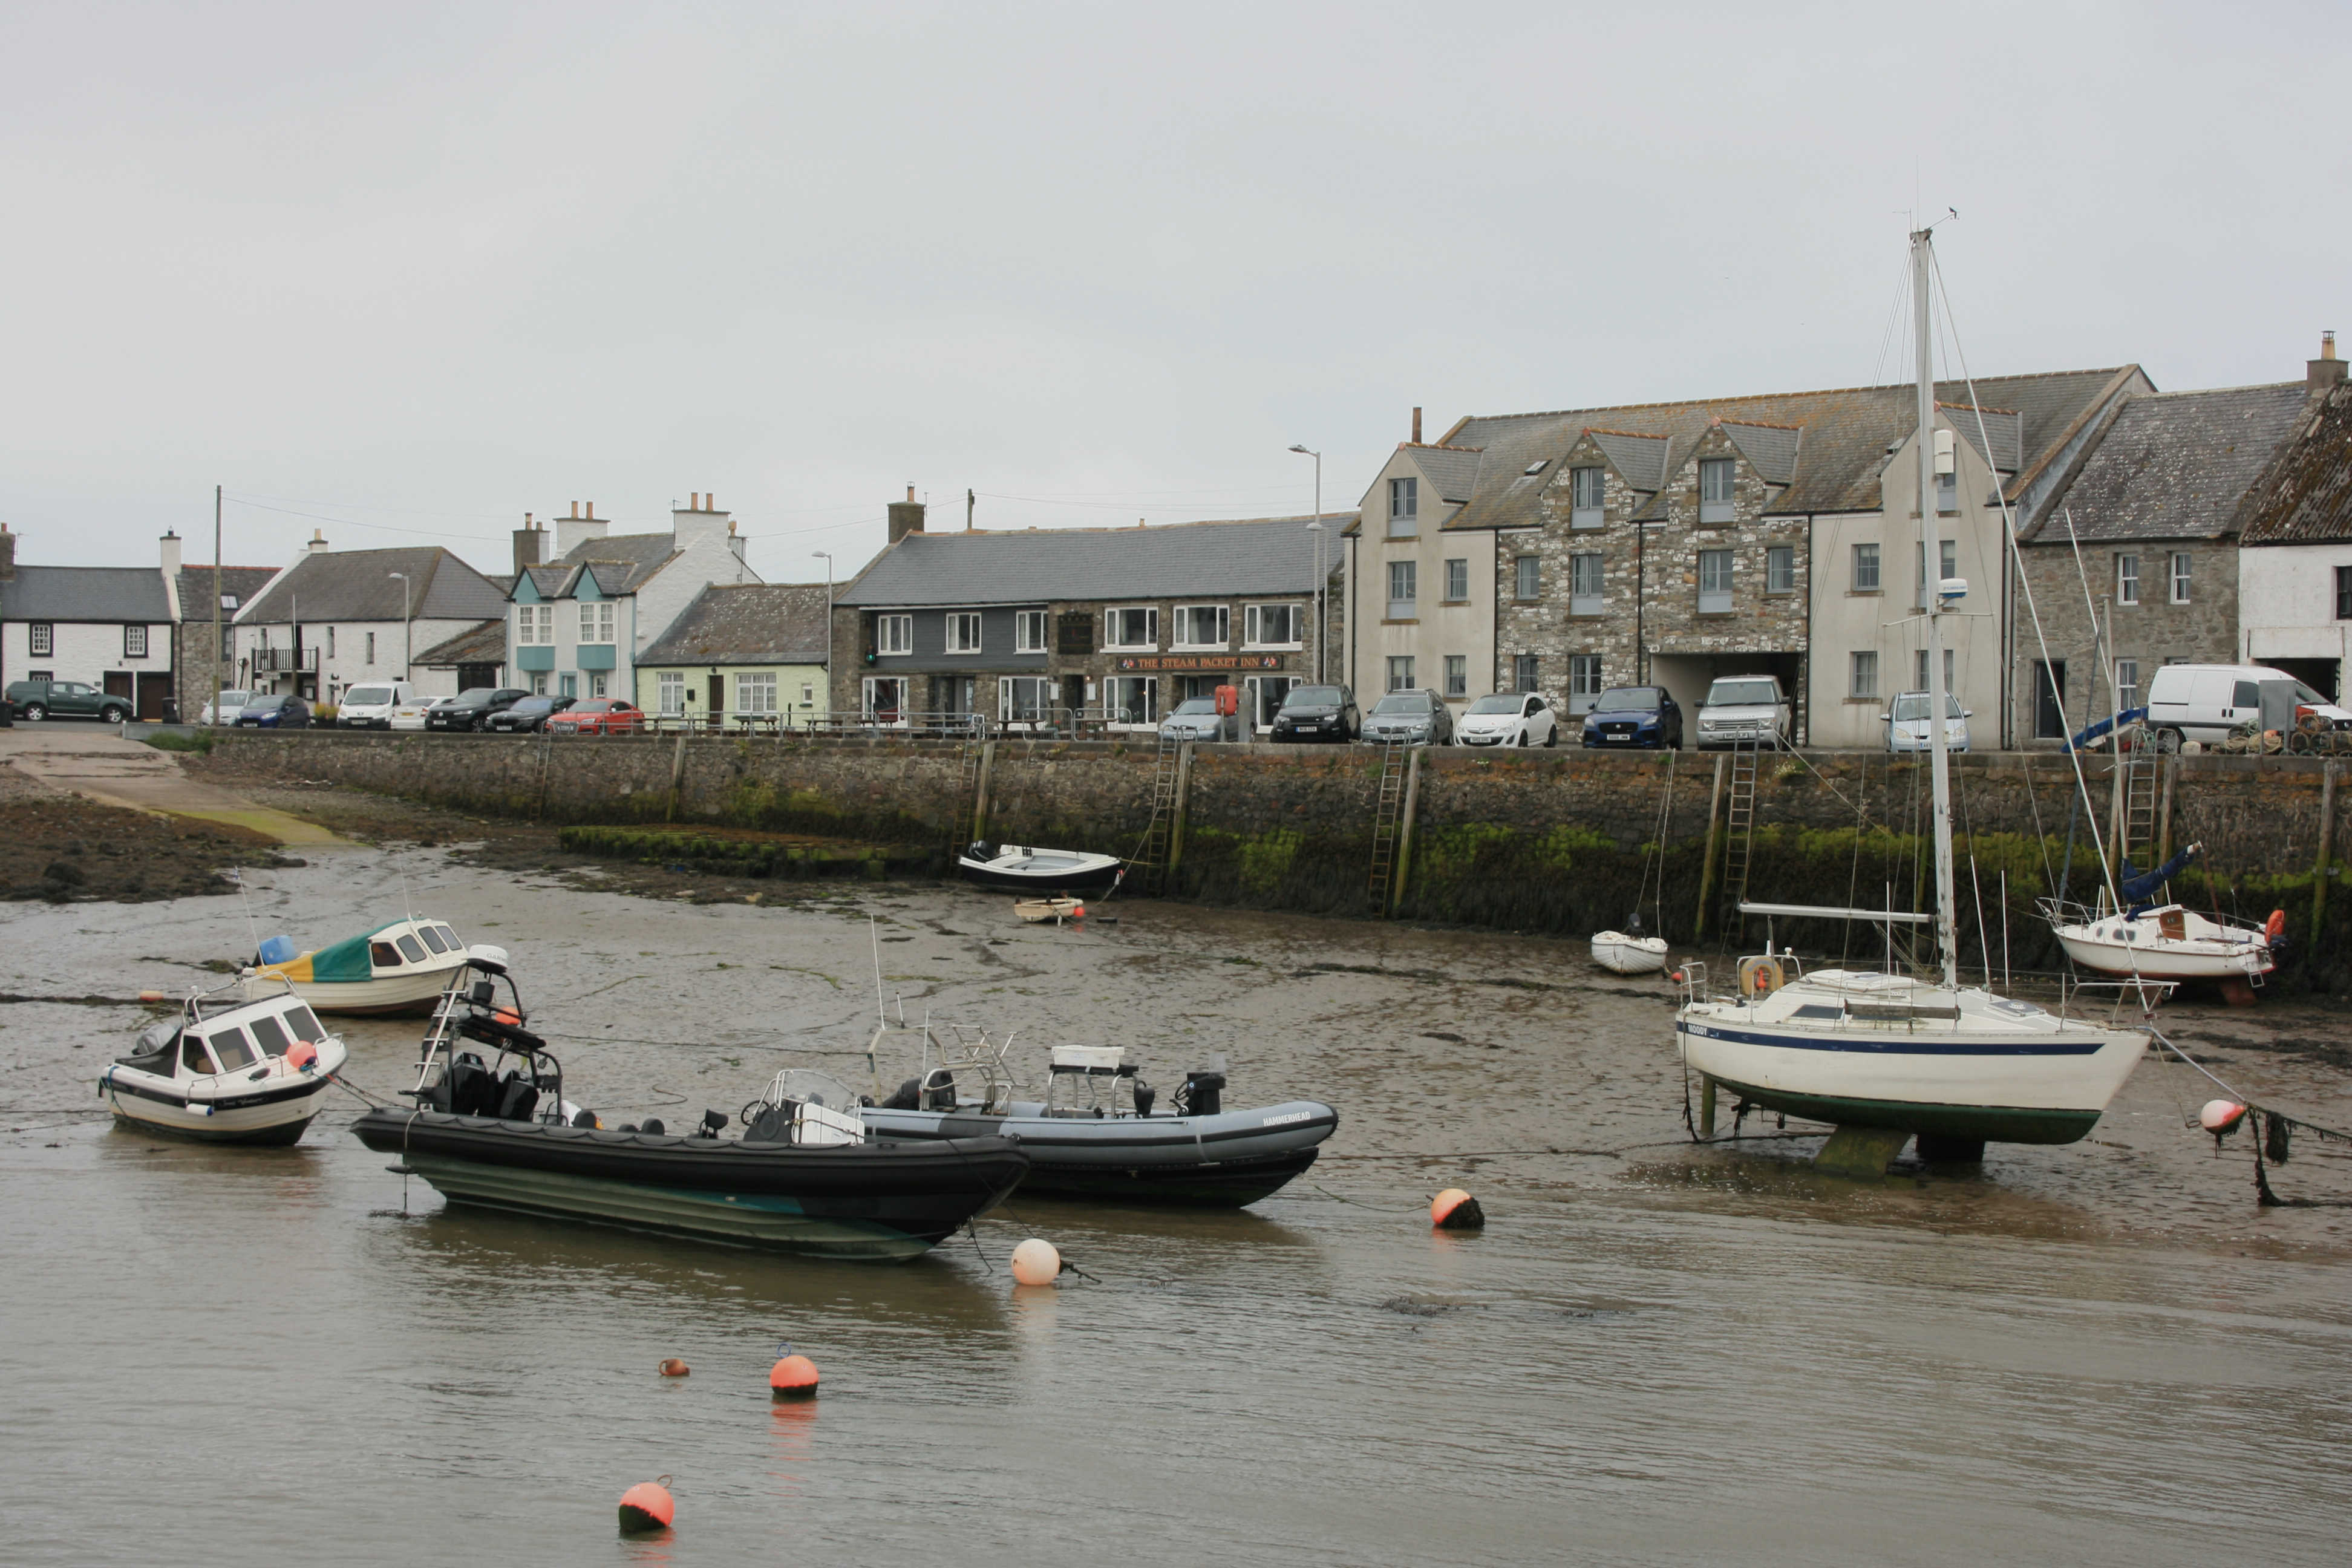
(227,1068)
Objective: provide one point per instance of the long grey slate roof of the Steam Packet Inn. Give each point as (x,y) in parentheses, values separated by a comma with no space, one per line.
(1262,556)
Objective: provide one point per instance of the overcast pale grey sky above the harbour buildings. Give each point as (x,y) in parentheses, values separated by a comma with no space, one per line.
(427,269)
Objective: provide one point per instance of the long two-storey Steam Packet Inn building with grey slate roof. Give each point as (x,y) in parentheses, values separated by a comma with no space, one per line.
(1041,626)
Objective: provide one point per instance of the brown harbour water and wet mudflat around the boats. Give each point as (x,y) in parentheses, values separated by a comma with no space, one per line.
(2097,1353)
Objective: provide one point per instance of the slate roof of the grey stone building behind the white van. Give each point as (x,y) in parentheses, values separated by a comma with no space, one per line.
(2174,467)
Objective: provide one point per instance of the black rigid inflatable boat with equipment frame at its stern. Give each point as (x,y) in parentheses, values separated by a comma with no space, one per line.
(490,1127)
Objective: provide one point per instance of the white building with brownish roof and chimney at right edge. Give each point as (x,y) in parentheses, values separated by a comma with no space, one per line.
(2297,542)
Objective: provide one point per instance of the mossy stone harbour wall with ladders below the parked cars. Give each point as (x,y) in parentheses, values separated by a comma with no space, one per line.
(1544,840)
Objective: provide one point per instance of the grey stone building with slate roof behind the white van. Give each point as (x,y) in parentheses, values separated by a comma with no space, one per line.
(2144,535)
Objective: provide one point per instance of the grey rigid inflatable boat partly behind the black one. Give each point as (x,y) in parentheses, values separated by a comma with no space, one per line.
(1100,1132)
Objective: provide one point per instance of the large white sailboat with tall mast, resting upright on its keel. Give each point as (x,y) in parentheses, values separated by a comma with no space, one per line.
(1890,1057)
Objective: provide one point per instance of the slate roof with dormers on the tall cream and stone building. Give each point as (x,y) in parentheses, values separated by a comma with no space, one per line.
(1829,448)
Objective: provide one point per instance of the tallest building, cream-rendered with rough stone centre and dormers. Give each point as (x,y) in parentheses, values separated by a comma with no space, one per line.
(1669,544)
